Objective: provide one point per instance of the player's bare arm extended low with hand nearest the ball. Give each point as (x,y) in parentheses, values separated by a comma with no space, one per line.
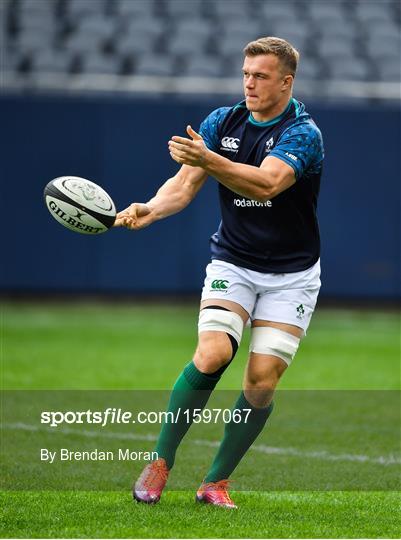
(173,196)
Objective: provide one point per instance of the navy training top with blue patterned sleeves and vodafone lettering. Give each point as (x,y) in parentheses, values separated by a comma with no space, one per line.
(281,235)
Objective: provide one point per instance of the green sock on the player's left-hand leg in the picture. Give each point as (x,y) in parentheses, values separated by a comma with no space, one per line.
(191,391)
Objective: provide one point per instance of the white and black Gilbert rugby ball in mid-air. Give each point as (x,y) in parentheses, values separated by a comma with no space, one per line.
(80,205)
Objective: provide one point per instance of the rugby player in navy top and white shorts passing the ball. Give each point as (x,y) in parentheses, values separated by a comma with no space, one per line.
(266,154)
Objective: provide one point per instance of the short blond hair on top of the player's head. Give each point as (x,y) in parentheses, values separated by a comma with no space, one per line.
(285,52)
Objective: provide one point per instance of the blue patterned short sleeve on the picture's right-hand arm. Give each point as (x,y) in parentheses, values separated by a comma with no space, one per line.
(301,147)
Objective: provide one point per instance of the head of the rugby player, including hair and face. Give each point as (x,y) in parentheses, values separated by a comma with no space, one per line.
(269,69)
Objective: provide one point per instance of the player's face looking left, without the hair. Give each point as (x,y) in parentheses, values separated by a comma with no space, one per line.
(264,82)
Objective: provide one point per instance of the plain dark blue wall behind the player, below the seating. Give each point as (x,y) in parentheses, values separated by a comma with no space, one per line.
(121,143)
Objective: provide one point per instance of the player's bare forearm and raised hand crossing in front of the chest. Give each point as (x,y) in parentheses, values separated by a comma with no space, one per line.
(258,183)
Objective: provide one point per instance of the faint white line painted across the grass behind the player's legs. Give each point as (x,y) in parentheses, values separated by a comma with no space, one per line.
(323,455)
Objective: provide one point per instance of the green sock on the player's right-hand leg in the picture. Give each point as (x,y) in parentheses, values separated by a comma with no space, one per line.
(238,437)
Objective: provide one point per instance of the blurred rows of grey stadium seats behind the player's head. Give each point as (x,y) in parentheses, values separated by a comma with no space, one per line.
(344,39)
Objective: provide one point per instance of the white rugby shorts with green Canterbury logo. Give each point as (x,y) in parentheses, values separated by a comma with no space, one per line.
(286,298)
